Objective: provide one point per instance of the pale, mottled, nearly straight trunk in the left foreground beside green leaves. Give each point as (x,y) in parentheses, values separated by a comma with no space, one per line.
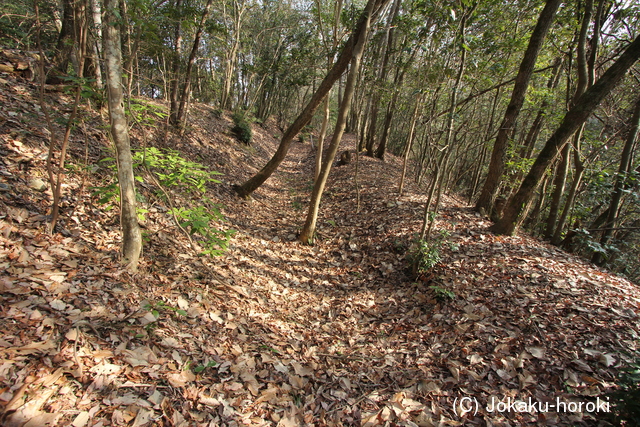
(131,236)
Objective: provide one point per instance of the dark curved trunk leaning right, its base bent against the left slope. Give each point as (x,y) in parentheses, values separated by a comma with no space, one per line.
(305,116)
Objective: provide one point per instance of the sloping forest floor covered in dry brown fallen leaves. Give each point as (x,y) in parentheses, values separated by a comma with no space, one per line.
(274,332)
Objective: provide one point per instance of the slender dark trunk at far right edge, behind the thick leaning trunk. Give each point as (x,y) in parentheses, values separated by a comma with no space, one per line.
(625,166)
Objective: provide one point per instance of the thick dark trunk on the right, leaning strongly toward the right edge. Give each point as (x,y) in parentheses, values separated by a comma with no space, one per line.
(572,121)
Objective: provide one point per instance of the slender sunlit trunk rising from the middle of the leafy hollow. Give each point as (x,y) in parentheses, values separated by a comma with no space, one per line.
(308,231)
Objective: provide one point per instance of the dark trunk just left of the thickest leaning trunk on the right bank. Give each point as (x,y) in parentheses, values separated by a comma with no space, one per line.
(498,156)
